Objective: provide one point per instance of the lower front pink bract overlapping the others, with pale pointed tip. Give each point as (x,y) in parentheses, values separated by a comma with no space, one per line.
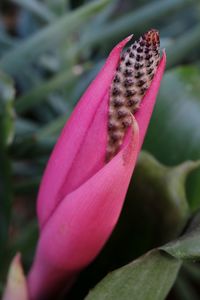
(83,222)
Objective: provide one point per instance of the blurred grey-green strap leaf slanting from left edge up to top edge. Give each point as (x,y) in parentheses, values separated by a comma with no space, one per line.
(47,38)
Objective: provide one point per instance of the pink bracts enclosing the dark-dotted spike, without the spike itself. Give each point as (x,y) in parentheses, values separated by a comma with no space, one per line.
(81,196)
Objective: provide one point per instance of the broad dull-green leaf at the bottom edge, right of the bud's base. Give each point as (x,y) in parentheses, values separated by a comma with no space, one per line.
(150,277)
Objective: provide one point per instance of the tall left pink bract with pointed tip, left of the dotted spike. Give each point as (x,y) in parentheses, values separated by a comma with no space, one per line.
(80,150)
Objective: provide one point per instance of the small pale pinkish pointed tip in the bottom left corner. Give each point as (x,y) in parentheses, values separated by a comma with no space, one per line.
(16,287)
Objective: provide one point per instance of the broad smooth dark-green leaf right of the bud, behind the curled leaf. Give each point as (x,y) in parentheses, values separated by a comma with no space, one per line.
(173,135)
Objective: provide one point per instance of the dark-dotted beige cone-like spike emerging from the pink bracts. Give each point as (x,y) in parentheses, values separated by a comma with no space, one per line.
(133,77)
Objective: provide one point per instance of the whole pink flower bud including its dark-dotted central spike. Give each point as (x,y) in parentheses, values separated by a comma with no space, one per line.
(87,176)
